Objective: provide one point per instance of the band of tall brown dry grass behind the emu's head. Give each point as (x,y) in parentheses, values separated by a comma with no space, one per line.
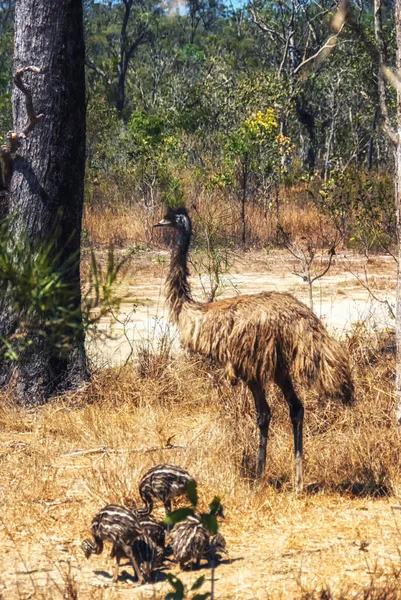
(123,223)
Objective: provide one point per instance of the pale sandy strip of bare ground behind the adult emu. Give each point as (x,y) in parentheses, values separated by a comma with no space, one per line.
(341,299)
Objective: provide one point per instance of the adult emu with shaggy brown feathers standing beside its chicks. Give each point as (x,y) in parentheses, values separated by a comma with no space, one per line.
(258,338)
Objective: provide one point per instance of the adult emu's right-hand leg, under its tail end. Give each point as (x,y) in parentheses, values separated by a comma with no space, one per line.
(297,419)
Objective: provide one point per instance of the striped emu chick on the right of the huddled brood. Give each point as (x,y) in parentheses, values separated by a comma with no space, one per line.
(189,541)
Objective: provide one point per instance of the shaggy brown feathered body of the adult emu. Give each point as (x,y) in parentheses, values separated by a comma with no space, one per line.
(256,335)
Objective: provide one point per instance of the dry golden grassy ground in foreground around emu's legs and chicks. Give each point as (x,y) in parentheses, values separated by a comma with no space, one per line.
(339,540)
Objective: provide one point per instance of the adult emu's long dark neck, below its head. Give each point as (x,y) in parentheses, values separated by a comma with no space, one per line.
(178,289)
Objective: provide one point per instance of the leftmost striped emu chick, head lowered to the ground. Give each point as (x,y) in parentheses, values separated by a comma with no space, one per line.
(121,527)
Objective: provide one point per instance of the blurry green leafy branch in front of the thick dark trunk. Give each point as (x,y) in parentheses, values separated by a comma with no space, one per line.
(40,286)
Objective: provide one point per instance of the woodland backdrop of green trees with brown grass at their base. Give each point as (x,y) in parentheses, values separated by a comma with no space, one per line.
(260,116)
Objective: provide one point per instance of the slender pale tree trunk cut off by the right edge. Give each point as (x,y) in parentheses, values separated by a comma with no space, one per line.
(397,8)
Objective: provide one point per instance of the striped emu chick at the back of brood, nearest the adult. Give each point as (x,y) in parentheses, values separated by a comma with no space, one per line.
(164,482)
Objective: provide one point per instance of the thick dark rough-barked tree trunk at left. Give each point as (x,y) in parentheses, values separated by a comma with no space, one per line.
(46,190)
